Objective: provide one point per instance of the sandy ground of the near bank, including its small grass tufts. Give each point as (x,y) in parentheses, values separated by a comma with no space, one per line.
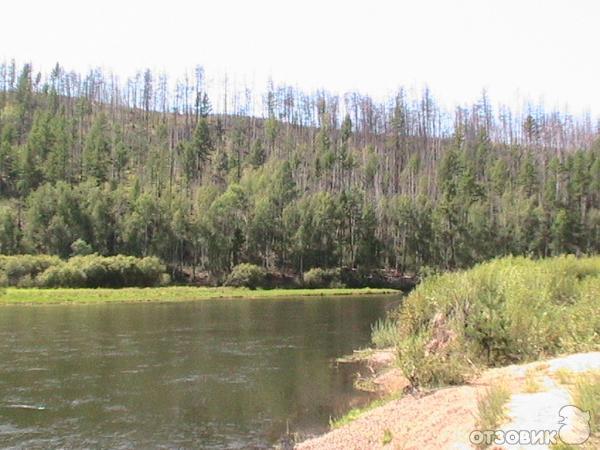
(532,396)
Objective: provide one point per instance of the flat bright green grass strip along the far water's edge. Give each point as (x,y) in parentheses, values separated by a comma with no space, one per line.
(34,296)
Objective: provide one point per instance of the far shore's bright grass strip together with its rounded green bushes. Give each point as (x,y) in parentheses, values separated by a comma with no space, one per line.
(93,278)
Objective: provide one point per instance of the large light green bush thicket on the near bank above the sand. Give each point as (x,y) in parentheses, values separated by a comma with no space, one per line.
(505,311)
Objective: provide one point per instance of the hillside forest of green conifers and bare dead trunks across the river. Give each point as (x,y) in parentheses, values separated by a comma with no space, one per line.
(141,168)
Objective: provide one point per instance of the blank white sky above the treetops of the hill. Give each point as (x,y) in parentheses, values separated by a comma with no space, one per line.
(515,49)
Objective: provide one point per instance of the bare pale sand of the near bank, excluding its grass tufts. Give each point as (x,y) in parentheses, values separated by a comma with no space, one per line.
(445,418)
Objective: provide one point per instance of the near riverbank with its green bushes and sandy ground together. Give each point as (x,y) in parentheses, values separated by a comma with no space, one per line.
(454,337)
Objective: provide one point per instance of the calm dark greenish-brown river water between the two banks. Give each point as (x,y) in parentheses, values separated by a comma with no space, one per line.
(209,374)
